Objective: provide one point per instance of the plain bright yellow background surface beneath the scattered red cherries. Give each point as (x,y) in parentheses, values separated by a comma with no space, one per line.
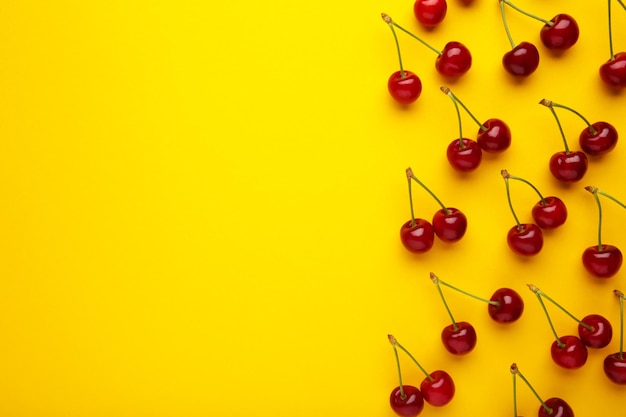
(200,206)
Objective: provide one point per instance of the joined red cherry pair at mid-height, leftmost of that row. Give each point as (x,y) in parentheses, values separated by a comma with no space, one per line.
(418,235)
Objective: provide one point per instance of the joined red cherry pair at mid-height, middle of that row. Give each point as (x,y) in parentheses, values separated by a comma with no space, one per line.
(550,212)
